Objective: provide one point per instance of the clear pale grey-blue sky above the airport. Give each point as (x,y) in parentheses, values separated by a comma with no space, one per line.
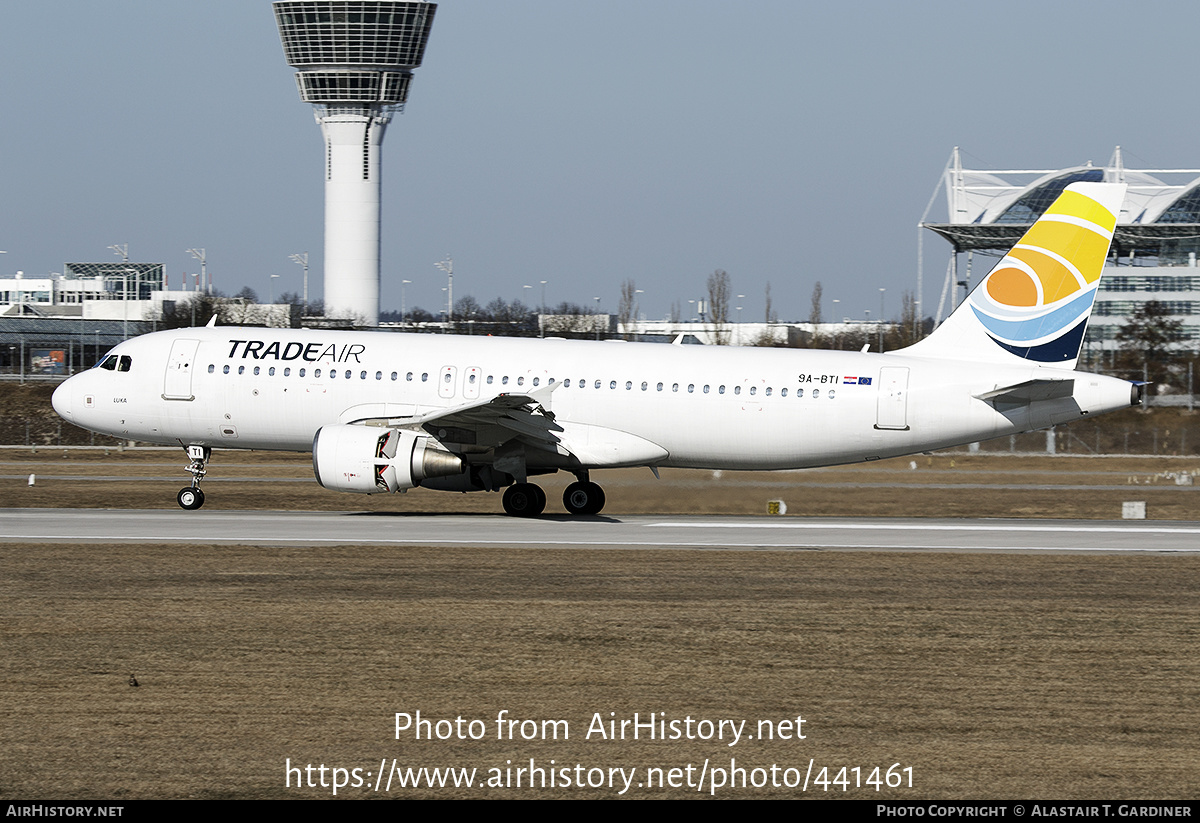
(578,143)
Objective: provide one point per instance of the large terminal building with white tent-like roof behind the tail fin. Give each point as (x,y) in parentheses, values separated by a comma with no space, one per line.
(1155,247)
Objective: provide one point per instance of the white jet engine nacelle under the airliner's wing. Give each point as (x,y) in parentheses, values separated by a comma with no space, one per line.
(369,460)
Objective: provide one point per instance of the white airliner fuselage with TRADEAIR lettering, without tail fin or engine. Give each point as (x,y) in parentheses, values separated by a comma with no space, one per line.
(619,404)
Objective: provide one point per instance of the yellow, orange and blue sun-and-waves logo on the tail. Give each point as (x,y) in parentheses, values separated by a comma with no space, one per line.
(1037,299)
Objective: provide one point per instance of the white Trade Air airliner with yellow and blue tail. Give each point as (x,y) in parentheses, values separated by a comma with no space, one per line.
(386,412)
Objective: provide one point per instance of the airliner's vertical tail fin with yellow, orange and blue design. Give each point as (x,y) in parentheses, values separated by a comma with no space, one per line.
(1036,303)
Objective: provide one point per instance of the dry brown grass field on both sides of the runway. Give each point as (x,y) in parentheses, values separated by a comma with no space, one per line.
(993,676)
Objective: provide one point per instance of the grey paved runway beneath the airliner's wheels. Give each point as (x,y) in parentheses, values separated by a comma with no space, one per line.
(281,528)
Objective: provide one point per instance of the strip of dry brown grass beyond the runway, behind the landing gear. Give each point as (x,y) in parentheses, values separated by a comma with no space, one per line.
(941,486)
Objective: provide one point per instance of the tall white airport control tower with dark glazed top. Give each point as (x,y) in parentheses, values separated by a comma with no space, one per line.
(355,62)
